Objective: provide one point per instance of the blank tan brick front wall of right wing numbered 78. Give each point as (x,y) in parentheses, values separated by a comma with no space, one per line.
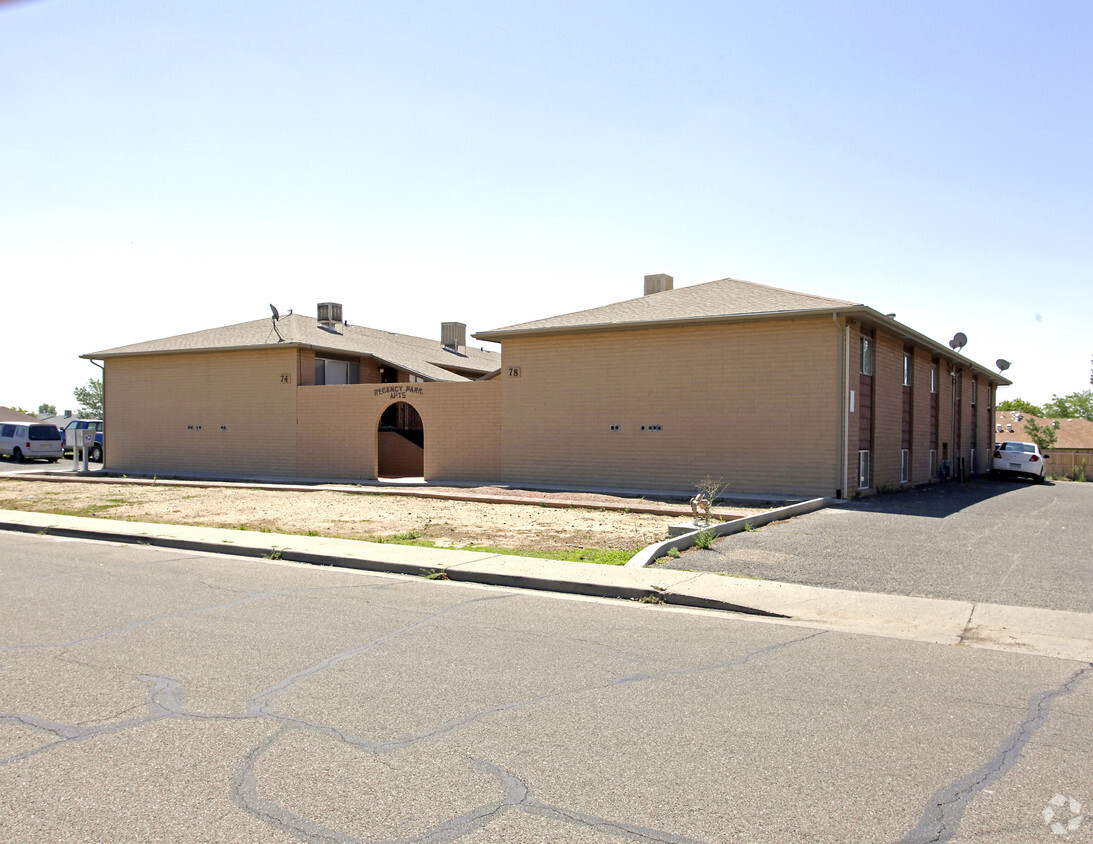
(756,404)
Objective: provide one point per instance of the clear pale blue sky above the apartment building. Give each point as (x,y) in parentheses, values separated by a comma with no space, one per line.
(185,165)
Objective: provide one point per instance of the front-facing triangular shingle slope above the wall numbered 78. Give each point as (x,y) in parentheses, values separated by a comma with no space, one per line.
(724,299)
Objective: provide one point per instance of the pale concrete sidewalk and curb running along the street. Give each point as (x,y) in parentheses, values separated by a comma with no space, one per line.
(1067,636)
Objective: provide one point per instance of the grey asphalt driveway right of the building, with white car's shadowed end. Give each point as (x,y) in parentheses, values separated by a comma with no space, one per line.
(1003,542)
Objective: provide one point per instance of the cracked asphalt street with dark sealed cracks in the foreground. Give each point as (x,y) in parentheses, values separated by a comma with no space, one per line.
(151,695)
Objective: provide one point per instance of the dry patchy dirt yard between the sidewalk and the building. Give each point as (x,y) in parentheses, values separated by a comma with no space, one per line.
(363,515)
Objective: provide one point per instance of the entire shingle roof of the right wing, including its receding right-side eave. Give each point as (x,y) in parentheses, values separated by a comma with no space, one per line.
(723,301)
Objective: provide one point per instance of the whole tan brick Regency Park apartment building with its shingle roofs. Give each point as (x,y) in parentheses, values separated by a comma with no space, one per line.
(773,391)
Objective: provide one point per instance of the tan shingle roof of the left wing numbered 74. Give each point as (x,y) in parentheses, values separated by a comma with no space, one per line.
(428,359)
